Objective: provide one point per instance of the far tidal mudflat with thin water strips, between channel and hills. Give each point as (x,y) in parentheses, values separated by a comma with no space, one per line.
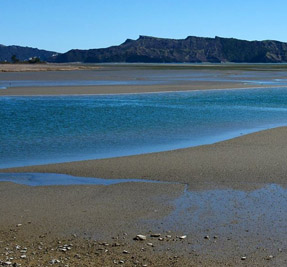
(137,78)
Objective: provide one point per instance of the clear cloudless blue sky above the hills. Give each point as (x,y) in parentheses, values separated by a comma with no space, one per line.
(61,25)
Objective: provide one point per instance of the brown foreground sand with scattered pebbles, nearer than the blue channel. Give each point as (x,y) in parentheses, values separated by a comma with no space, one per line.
(117,213)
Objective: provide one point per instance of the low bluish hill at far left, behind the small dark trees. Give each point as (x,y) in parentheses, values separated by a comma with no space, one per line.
(23,53)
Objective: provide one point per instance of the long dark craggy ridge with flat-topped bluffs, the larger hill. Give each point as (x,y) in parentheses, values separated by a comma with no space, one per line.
(191,49)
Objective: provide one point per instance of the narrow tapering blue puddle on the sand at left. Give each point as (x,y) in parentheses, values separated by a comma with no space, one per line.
(45,179)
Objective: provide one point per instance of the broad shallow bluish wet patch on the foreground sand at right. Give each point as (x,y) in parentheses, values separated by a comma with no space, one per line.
(232,212)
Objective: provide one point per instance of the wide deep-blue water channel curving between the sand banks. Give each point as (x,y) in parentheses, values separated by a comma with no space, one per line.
(38,130)
